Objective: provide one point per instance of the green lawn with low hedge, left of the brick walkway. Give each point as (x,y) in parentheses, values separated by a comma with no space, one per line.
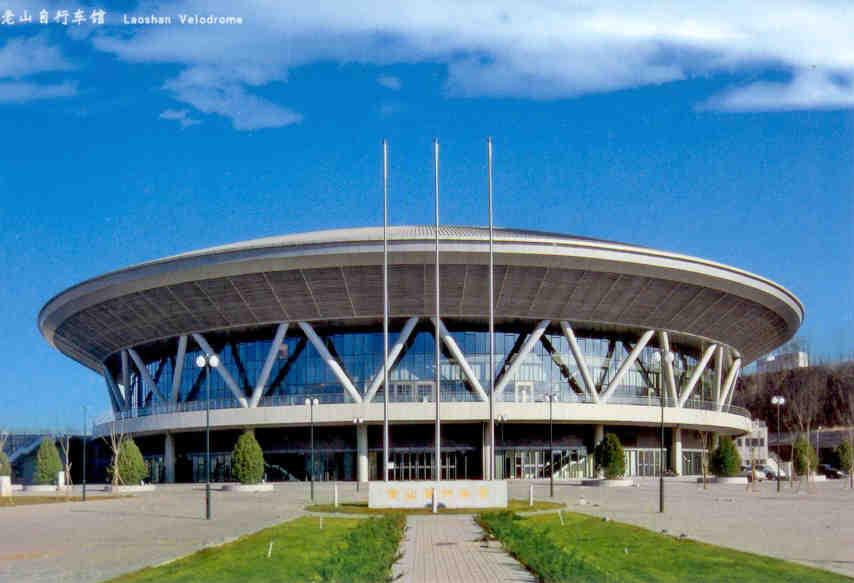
(345,549)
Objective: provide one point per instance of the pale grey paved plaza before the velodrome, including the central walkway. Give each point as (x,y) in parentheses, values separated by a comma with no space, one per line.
(100,539)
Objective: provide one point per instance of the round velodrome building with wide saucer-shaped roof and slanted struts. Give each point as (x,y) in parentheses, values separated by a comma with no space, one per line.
(610,331)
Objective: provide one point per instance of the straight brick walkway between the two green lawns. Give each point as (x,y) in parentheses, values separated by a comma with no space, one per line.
(448,548)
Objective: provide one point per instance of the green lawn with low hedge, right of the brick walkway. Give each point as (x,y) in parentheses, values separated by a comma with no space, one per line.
(588,549)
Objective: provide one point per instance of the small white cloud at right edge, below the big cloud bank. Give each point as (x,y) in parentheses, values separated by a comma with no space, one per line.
(806,90)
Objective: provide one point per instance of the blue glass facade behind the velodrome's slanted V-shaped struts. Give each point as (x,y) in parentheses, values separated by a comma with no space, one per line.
(299,370)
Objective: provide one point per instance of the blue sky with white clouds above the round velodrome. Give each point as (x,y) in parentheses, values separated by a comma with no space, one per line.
(712,131)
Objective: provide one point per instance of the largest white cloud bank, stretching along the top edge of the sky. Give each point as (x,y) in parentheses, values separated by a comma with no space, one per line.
(542,50)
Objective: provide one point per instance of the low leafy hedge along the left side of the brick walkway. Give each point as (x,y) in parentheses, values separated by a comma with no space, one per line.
(369,551)
